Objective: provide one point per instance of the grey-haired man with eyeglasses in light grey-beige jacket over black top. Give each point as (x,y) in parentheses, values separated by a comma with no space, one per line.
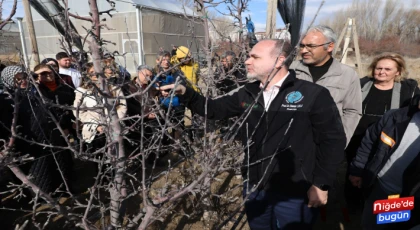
(318,66)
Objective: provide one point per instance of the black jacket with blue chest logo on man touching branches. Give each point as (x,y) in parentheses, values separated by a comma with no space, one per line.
(302,129)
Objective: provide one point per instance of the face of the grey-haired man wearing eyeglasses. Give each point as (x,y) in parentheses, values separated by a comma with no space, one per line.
(315,56)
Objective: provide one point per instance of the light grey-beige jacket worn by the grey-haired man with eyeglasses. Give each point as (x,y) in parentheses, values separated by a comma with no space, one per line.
(343,83)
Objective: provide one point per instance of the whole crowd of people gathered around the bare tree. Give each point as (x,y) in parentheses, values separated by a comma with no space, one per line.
(300,120)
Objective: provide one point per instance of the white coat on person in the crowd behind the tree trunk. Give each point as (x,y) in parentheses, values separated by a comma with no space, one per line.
(91,119)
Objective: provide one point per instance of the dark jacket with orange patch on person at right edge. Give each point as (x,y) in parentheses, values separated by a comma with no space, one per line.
(373,153)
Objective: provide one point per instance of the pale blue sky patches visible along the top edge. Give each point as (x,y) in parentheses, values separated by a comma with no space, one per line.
(257,10)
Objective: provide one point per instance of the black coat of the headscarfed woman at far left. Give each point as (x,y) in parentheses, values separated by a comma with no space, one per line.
(33,125)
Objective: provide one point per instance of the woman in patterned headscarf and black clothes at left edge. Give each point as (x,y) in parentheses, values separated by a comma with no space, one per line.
(30,113)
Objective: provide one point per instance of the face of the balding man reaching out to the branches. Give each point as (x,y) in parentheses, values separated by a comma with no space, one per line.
(260,62)
